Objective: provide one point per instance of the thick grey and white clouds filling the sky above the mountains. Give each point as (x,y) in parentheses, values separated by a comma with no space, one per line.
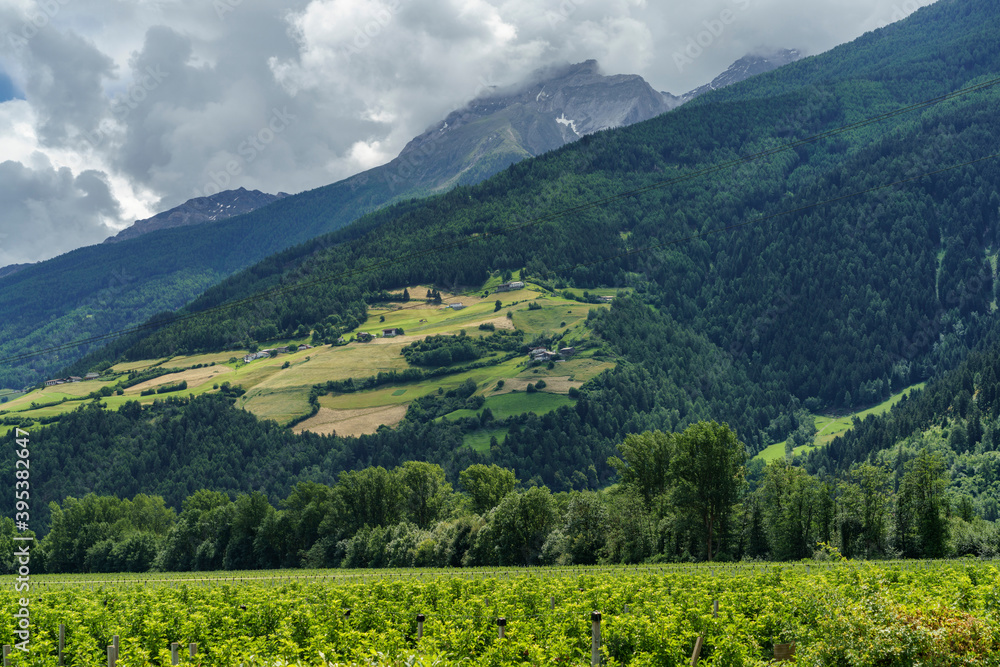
(131,107)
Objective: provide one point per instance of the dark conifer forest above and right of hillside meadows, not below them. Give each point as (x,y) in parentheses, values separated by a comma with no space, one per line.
(830,304)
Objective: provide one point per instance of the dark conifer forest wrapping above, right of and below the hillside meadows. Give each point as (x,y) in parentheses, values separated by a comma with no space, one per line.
(796,304)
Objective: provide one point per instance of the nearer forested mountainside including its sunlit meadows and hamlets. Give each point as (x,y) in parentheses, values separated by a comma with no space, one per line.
(767,253)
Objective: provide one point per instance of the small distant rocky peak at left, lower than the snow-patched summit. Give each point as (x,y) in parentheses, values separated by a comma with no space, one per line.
(225,204)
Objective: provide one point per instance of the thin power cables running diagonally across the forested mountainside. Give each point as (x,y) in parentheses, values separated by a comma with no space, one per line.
(468,240)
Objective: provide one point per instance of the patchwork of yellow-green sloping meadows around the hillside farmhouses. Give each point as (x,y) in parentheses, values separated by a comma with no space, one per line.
(274,392)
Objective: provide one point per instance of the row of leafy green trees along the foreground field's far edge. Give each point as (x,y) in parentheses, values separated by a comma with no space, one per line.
(678,497)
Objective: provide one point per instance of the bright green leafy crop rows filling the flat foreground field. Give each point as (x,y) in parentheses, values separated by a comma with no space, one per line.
(832,613)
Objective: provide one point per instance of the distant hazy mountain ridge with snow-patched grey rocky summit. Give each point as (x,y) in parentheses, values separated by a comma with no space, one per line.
(92,291)
